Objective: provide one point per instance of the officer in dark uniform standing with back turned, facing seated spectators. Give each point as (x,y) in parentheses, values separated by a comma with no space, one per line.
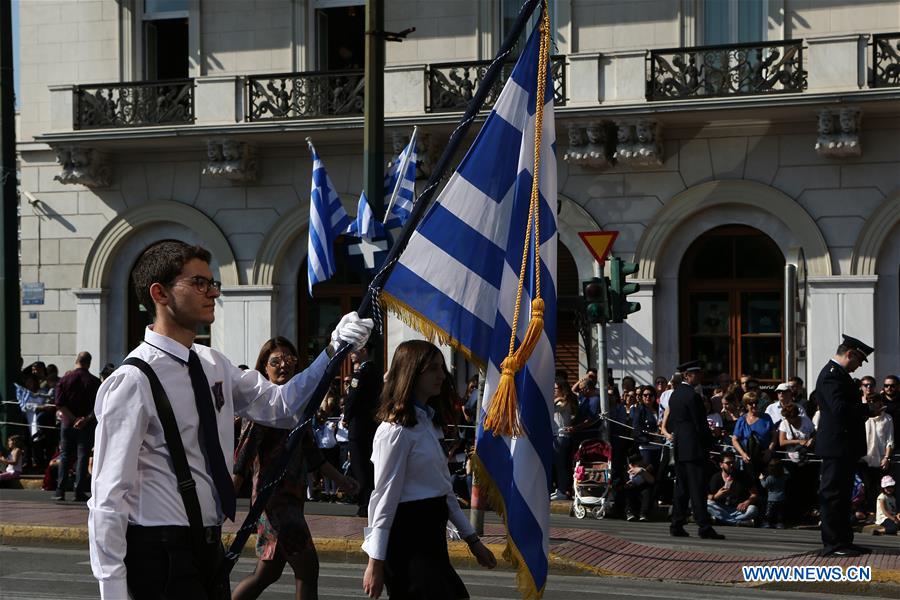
(686,421)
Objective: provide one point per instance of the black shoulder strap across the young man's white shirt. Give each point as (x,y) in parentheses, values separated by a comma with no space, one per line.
(218,586)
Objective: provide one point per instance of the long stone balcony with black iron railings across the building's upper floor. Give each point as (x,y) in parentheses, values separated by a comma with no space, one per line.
(772,75)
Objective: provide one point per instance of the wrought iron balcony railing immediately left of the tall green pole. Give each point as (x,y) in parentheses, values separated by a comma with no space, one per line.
(305,95)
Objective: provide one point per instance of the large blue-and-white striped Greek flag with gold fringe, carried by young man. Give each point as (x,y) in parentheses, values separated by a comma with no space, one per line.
(457,281)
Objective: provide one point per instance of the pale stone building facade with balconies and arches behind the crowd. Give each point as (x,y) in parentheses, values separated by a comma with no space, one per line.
(746,152)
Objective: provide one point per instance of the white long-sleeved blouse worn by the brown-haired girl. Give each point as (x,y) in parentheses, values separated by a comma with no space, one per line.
(410,464)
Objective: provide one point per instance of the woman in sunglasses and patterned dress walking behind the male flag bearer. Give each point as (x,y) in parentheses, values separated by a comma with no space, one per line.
(282,534)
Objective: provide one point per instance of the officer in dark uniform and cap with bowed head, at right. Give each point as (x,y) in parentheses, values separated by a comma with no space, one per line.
(840,442)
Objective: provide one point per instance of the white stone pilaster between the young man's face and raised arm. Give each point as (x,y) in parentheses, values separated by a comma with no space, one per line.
(244,321)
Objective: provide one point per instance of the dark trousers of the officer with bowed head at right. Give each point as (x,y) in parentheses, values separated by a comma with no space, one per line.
(835,489)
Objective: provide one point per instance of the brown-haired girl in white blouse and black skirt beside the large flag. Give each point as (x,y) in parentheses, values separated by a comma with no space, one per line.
(406,539)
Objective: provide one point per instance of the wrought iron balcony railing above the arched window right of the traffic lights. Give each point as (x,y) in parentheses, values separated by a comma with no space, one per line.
(728,70)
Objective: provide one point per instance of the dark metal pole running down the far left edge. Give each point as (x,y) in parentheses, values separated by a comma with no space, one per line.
(9,278)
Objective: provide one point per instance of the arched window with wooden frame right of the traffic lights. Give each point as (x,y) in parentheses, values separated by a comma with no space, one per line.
(731,281)
